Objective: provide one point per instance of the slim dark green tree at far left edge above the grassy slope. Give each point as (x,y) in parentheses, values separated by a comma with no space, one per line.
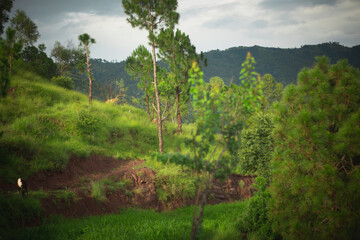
(12,48)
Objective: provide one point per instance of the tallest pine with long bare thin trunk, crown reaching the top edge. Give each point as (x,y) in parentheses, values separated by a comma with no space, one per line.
(152,15)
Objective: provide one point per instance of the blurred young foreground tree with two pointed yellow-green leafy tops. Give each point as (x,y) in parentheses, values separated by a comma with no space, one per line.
(215,144)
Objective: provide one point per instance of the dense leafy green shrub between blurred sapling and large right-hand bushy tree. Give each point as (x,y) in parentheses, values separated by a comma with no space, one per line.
(257,146)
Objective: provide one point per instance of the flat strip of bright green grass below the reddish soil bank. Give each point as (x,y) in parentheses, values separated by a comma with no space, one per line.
(220,222)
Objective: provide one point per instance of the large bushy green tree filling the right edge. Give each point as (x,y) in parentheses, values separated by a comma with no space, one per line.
(316,175)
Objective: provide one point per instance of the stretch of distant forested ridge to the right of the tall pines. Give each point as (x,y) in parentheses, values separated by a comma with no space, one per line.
(283,64)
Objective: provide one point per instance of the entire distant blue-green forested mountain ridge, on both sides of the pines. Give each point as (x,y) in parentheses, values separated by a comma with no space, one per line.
(283,64)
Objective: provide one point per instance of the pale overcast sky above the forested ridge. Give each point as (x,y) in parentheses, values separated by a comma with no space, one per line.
(211,24)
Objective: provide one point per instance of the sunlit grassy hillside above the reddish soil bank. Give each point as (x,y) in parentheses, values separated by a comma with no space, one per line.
(43,125)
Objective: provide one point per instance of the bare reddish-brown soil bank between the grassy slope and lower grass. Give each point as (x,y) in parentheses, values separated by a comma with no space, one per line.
(141,192)
